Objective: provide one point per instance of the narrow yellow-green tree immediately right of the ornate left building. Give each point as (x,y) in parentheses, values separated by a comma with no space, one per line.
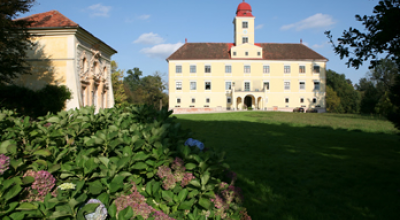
(117,75)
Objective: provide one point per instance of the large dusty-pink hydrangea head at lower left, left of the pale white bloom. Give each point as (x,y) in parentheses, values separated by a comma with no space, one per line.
(43,184)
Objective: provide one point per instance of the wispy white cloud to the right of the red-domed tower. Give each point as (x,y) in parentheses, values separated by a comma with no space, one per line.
(316,21)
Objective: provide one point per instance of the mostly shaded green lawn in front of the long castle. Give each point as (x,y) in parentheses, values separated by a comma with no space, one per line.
(295,166)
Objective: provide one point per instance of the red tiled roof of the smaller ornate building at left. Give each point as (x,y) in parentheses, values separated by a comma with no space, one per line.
(50,19)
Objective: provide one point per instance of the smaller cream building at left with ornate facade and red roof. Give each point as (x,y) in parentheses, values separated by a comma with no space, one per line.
(67,54)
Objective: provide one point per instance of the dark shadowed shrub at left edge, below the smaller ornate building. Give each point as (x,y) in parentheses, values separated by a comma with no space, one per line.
(34,103)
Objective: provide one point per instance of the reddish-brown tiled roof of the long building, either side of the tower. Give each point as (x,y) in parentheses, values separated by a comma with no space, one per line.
(221,51)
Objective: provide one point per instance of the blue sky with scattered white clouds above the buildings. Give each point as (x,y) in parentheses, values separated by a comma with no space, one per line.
(146,32)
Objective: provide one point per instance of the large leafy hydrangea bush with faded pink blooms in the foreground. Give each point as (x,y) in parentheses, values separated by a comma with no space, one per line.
(122,163)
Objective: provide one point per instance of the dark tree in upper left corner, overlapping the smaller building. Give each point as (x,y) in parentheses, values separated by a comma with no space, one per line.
(14,39)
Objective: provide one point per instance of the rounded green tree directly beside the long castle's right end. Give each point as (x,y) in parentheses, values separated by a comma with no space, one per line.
(349,98)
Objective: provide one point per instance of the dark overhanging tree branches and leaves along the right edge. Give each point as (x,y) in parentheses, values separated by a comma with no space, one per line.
(380,37)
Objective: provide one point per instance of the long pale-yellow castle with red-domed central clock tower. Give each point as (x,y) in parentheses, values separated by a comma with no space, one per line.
(207,77)
